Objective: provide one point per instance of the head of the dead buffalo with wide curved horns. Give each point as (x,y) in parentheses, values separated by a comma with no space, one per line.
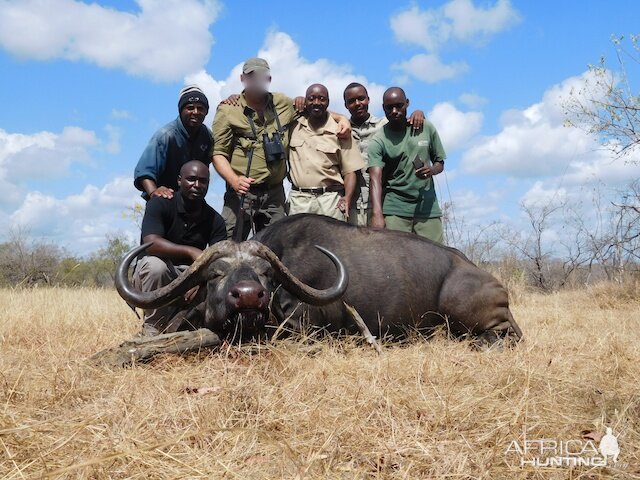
(237,281)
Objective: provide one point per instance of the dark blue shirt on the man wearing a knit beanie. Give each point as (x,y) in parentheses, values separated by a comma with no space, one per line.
(169,149)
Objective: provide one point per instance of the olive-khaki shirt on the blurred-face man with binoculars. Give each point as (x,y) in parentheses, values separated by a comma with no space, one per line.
(232,136)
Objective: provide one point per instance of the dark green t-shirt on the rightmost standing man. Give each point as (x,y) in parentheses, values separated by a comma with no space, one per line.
(405,194)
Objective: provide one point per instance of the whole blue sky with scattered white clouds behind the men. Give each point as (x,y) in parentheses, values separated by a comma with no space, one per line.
(85,85)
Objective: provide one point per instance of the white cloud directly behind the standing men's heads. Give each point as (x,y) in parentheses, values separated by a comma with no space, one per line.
(291,74)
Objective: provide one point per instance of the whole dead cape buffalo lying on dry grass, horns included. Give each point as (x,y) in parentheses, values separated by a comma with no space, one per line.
(397,282)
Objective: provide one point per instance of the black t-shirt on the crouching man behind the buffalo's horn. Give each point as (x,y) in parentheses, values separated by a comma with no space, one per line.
(167,218)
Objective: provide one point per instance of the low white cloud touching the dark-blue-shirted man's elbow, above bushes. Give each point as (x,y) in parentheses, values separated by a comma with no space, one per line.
(79,222)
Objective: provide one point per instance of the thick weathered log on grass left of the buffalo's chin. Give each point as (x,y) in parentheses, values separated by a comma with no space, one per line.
(143,349)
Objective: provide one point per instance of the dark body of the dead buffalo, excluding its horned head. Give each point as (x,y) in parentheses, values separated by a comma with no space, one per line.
(398,282)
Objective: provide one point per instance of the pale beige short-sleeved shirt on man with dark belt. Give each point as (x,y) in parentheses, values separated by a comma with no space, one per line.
(318,158)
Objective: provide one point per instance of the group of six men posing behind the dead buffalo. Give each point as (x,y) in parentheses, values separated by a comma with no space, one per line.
(365,170)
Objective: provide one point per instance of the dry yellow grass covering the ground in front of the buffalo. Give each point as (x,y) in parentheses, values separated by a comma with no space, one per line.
(331,409)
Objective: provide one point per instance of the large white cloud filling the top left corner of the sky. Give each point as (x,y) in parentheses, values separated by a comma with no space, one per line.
(165,40)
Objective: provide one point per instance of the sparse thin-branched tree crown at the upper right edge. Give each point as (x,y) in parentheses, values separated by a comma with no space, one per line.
(605,105)
